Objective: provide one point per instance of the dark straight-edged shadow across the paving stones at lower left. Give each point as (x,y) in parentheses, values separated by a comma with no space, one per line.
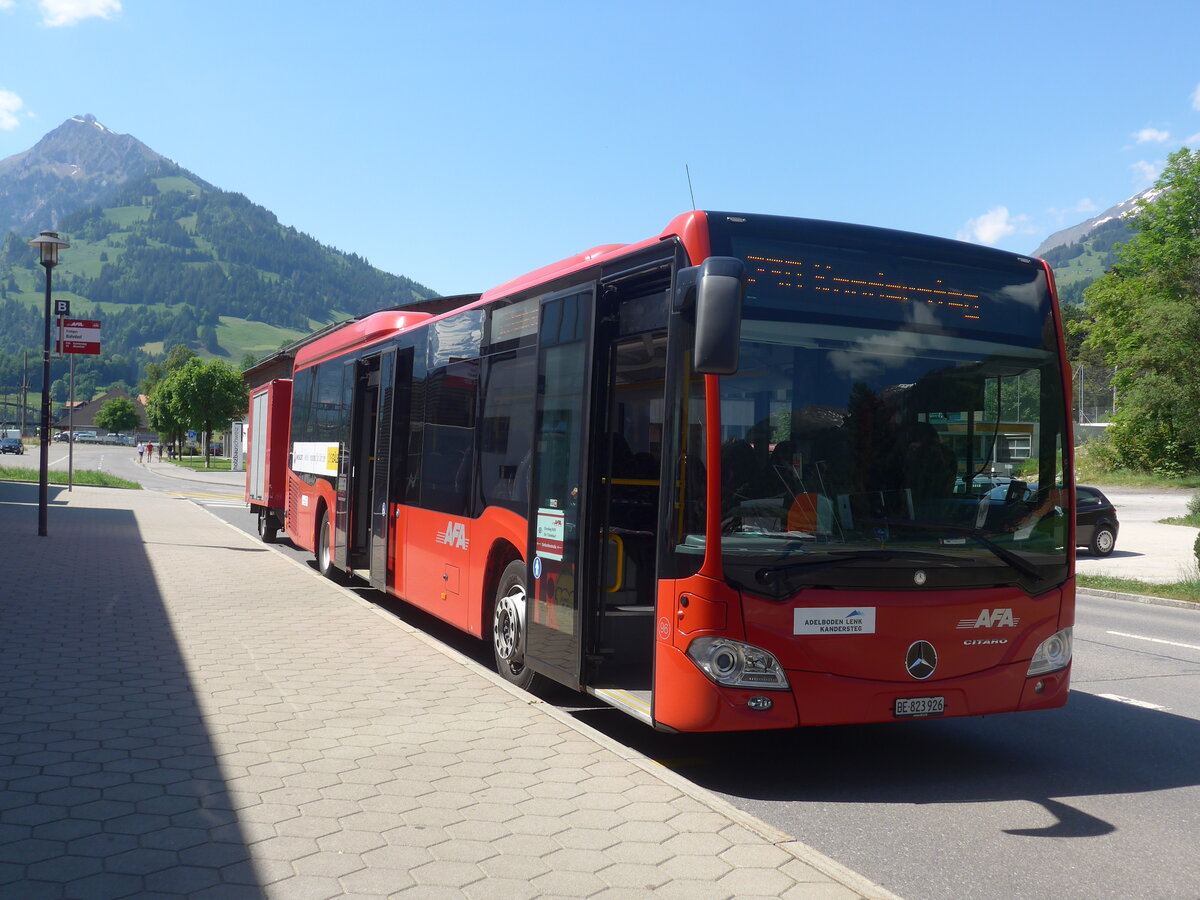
(110,783)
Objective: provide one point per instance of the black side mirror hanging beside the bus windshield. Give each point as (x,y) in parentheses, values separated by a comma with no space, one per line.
(716,289)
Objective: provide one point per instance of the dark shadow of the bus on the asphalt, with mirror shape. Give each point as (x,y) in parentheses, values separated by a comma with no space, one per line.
(1093,747)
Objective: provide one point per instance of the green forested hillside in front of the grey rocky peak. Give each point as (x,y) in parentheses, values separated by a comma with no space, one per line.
(172,260)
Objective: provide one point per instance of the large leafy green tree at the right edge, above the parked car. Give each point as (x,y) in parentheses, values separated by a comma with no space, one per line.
(1147,322)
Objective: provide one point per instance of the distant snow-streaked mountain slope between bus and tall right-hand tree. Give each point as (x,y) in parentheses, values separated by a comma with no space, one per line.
(1084,253)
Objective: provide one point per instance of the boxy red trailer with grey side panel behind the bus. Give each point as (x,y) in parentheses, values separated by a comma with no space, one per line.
(267,455)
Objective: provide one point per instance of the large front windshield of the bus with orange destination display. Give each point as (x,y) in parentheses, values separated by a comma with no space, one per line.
(897,422)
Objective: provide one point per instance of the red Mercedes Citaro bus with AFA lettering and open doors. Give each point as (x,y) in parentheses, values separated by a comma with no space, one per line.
(752,473)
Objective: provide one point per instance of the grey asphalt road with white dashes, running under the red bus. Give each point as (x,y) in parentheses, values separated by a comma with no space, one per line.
(1100,800)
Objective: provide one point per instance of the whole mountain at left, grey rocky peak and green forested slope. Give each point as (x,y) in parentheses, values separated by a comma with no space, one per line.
(161,257)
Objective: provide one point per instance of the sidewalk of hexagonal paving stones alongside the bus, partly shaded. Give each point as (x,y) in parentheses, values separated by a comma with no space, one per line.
(187,713)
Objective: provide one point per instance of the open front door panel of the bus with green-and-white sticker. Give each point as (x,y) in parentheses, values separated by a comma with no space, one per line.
(563,561)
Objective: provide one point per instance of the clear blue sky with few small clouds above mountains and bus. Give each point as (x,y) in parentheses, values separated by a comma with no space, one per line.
(465,143)
